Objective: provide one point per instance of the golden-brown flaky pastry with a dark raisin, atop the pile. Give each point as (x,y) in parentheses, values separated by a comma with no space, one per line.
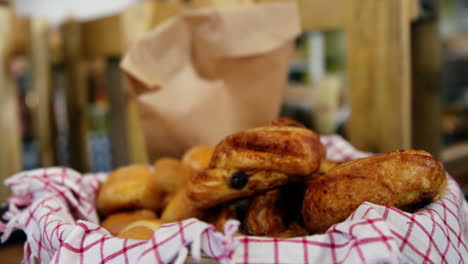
(256,160)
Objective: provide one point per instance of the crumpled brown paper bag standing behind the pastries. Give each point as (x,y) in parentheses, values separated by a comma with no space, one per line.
(207,73)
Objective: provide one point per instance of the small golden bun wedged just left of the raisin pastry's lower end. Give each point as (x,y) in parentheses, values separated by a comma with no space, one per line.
(180,208)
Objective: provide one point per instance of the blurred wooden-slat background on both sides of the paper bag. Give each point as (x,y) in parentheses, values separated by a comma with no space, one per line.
(396,78)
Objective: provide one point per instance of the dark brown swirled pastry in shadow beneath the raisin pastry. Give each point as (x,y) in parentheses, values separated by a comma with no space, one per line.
(265,215)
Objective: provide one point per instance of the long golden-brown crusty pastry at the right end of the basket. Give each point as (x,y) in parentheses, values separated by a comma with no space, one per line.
(403,179)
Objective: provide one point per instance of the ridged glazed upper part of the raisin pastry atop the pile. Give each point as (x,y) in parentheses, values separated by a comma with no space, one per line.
(281,147)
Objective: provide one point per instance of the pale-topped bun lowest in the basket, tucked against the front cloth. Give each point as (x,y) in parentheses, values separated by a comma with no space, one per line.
(141,229)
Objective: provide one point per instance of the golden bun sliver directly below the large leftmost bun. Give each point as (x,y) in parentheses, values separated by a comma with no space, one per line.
(114,223)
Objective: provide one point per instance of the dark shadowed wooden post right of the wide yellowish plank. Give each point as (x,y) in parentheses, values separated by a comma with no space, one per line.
(426,88)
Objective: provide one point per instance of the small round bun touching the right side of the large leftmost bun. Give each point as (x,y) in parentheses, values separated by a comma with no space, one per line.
(171,174)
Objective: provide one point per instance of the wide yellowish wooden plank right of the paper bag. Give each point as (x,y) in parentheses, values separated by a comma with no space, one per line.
(379,74)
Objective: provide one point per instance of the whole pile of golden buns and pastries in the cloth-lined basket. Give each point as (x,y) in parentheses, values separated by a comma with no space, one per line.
(274,179)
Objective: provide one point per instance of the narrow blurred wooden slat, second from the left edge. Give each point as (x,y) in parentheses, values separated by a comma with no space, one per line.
(42,87)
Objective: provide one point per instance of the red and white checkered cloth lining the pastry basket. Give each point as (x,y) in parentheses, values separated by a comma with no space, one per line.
(56,197)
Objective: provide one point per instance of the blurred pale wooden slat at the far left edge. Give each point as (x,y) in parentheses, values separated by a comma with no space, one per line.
(10,139)
